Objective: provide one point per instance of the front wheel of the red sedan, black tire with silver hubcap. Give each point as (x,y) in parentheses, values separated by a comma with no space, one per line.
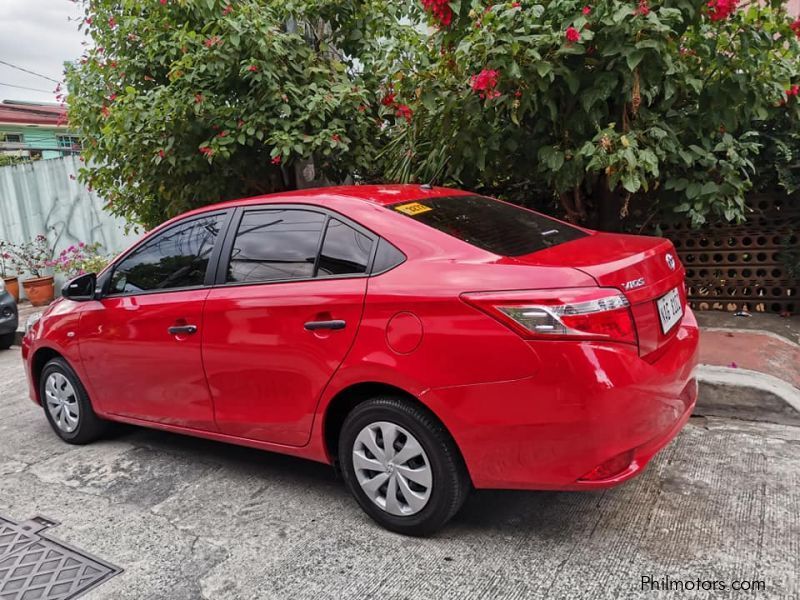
(66,404)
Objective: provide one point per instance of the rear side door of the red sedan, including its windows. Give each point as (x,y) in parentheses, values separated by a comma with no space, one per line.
(289,301)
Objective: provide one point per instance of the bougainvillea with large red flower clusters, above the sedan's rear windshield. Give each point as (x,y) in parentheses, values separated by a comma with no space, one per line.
(599,103)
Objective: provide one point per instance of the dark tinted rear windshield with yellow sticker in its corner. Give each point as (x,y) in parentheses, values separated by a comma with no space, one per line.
(491,225)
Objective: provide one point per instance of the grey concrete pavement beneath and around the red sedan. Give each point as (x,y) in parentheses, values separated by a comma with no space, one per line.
(190,519)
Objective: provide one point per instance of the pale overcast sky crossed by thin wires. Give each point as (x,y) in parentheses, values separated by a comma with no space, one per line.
(37,35)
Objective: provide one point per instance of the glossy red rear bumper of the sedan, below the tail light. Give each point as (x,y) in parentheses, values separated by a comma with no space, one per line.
(588,404)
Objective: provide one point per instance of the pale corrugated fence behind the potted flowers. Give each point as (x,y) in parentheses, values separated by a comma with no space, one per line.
(40,197)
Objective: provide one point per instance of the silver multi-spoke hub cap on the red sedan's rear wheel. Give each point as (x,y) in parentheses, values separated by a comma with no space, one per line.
(392,468)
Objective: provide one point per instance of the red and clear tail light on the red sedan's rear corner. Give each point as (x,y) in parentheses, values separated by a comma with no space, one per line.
(573,313)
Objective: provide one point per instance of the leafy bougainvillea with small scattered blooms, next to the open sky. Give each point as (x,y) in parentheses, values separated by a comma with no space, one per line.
(187,102)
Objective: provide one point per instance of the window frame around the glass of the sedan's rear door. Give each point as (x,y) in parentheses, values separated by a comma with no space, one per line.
(233,229)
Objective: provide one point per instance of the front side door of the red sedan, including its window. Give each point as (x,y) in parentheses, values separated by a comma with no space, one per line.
(140,344)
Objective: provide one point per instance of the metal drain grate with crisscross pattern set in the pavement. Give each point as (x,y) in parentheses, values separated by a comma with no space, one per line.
(33,567)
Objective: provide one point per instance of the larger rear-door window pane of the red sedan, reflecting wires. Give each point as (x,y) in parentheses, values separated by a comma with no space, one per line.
(275,245)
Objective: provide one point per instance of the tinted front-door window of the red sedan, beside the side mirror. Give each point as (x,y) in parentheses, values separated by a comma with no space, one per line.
(175,258)
